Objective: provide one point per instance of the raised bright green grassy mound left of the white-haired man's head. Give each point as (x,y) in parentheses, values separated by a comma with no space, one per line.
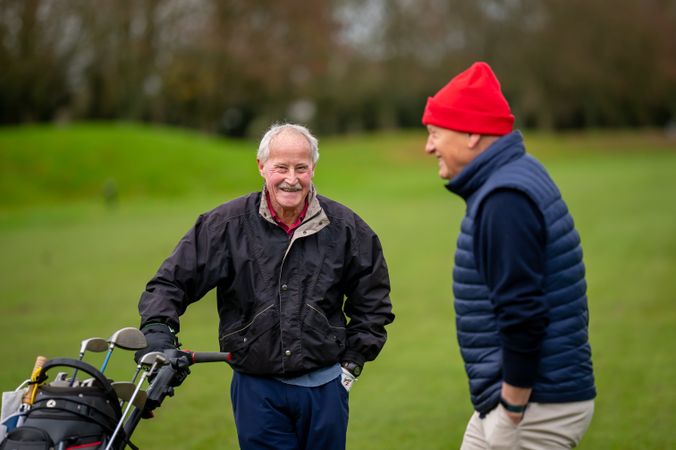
(43,164)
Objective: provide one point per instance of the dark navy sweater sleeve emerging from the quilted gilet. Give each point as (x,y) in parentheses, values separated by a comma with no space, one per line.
(509,245)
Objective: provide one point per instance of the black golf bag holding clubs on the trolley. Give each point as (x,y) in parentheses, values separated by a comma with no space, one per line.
(63,416)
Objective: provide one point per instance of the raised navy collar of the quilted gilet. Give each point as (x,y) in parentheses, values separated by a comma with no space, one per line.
(506,149)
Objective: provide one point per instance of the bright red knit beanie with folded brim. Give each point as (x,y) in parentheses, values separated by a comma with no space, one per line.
(471,102)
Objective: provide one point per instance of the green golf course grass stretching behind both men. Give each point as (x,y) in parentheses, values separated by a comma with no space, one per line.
(73,268)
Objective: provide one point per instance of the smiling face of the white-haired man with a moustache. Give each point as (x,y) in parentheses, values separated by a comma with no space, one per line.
(288,173)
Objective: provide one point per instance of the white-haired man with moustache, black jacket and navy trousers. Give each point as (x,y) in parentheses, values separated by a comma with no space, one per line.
(290,268)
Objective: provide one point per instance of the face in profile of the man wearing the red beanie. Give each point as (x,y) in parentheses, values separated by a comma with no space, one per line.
(453,149)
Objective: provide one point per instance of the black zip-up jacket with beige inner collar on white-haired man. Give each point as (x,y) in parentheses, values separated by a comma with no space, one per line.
(282,302)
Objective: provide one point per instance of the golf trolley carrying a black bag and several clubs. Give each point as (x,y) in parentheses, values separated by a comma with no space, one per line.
(95,413)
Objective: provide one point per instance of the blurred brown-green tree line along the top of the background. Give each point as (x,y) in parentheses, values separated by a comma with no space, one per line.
(232,66)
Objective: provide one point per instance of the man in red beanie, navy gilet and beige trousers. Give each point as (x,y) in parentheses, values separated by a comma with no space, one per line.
(519,279)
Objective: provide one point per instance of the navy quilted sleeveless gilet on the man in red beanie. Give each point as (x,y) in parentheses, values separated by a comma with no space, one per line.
(565,372)
